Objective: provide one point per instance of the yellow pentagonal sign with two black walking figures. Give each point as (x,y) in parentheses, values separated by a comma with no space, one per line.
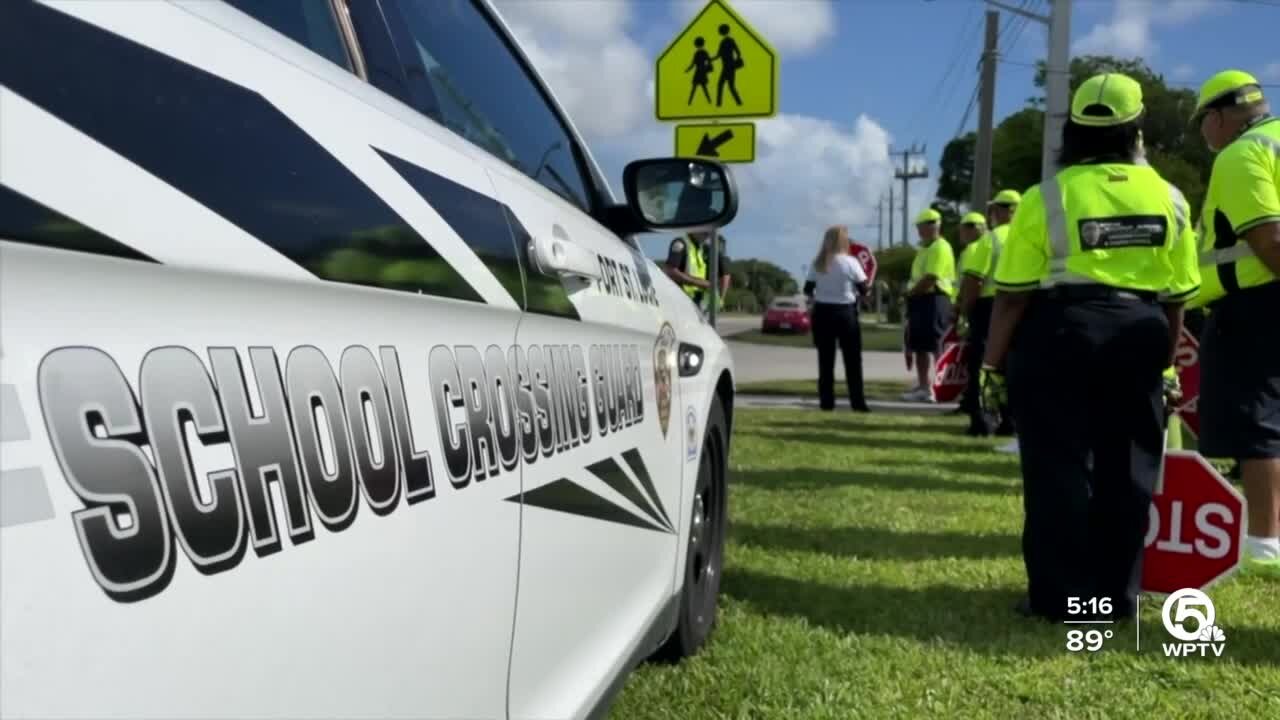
(717,67)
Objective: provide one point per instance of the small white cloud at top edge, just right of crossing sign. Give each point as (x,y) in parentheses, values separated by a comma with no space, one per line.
(789,26)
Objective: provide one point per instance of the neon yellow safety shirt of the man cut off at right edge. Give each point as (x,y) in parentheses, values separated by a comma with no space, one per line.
(1244,194)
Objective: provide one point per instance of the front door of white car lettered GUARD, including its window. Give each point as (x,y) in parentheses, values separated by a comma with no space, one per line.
(602,450)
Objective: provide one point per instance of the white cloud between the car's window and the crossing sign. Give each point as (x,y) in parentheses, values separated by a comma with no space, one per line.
(596,70)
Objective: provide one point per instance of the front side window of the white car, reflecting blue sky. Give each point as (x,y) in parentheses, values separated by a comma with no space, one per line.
(486,95)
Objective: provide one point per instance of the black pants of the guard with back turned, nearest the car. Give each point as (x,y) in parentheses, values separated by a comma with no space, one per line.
(1085,381)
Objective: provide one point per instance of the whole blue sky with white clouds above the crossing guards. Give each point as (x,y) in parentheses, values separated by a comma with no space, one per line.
(857,78)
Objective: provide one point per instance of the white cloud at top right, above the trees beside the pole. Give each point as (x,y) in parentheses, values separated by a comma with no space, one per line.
(1130,33)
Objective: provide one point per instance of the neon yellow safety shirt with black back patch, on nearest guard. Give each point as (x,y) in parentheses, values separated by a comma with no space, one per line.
(1118,225)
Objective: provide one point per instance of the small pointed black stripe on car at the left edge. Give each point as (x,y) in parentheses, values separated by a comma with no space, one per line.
(22,220)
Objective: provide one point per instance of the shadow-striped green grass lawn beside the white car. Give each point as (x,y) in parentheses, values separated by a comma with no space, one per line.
(871,569)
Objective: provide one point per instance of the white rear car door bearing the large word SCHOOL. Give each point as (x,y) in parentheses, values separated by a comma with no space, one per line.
(244,330)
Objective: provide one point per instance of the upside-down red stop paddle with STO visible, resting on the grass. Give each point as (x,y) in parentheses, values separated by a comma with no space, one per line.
(1195,527)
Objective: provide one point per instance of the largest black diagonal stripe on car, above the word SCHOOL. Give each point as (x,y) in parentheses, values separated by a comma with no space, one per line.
(221,144)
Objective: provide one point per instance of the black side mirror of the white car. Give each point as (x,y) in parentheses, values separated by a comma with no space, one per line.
(680,194)
